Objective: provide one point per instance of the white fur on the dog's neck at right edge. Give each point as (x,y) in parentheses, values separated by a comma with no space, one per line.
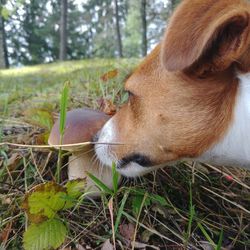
(234,148)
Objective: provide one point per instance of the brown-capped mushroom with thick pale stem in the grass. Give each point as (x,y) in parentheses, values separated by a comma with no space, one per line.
(81,126)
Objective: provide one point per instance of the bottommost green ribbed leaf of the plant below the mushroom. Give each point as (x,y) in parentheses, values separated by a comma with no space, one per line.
(46,235)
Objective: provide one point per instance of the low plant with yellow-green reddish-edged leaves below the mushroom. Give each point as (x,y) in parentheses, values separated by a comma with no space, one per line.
(42,206)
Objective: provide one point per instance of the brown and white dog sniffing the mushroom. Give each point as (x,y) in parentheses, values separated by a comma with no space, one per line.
(190,97)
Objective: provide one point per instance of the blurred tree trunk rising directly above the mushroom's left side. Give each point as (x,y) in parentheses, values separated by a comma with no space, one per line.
(63,30)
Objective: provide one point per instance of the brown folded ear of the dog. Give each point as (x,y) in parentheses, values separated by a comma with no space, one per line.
(206,34)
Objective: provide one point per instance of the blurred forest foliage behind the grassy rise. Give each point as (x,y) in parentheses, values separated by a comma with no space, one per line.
(30,29)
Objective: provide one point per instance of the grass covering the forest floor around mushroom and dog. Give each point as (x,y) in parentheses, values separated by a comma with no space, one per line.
(158,210)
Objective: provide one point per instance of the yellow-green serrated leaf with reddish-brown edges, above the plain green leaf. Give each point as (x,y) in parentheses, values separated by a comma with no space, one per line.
(44,201)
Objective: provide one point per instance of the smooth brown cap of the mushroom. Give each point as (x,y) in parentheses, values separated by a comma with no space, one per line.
(81,126)
